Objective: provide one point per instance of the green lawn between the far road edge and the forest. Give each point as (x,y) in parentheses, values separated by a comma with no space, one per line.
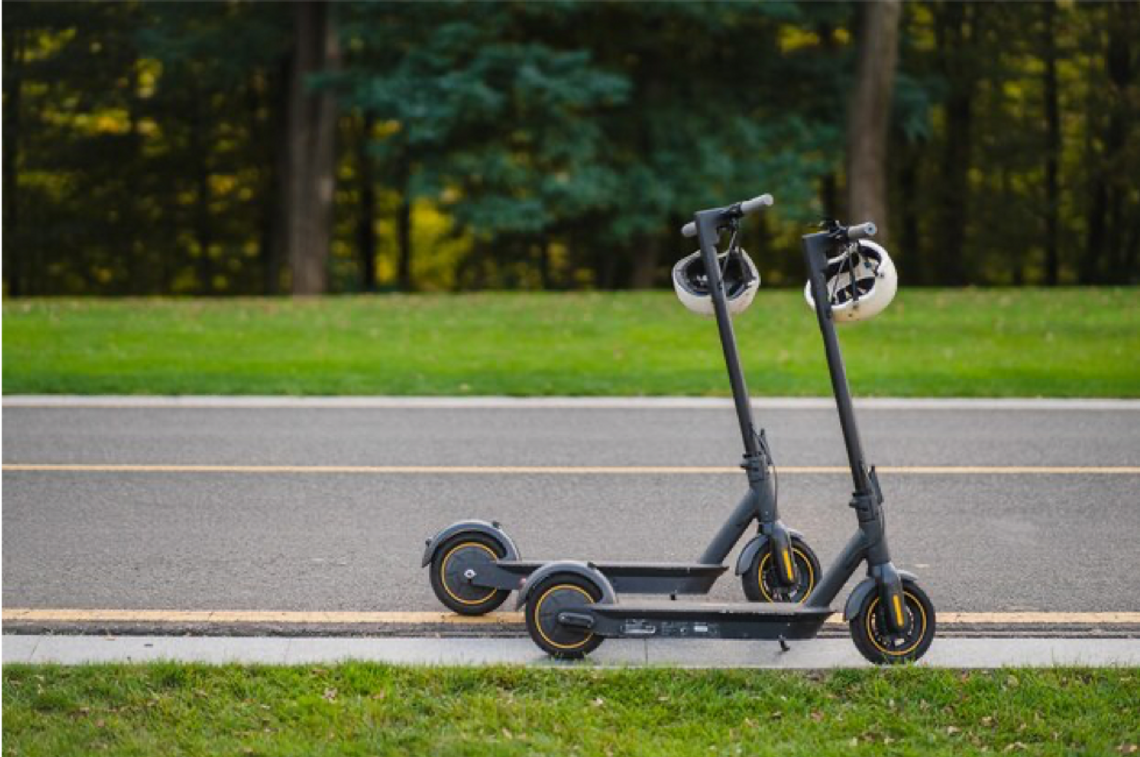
(965,344)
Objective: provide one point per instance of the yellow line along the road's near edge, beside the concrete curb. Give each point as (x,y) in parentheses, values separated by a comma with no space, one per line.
(222,617)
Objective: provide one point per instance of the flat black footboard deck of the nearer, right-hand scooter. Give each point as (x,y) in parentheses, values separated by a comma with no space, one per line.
(699,621)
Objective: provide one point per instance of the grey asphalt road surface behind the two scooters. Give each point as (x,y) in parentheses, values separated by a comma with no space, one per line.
(353,542)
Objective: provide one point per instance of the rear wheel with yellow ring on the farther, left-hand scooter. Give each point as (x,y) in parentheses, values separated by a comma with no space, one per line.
(452,559)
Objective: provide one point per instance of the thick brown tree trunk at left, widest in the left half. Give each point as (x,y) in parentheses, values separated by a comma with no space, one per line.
(311,152)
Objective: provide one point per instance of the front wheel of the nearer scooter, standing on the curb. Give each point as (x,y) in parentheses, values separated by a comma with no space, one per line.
(869,633)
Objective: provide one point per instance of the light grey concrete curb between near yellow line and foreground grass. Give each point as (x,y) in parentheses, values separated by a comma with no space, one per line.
(813,655)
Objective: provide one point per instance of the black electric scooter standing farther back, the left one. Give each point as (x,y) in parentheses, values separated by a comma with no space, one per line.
(475,565)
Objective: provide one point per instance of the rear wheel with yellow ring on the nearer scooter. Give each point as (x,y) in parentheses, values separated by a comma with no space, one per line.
(556,595)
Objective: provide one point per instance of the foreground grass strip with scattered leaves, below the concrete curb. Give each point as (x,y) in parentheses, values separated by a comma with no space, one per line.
(367,710)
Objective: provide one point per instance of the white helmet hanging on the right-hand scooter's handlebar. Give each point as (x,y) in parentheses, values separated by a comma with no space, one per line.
(861,282)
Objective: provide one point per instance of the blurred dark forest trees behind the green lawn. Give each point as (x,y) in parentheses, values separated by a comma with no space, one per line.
(250,146)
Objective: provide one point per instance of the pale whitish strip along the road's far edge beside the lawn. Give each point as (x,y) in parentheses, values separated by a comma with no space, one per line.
(207,402)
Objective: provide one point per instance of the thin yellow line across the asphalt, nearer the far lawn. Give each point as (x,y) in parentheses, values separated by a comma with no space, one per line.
(563,470)
